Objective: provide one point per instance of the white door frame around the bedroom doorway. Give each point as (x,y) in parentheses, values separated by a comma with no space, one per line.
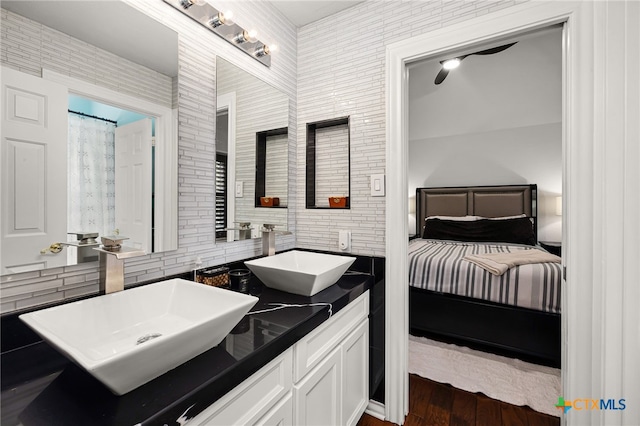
(517,19)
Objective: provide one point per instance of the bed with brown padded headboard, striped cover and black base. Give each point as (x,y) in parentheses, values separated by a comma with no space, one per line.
(516,313)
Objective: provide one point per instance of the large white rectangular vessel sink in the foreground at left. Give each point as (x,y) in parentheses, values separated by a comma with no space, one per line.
(128,338)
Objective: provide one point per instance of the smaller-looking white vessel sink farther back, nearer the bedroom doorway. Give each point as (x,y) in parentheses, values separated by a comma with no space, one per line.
(300,272)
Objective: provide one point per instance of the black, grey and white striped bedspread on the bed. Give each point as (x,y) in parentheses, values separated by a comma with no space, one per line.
(438,266)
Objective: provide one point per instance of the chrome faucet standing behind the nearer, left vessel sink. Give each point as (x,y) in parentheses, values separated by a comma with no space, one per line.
(112,255)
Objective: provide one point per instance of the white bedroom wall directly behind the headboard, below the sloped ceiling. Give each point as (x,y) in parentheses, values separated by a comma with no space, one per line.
(501,157)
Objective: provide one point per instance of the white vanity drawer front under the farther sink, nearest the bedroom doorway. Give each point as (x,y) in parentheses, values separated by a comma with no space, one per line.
(310,350)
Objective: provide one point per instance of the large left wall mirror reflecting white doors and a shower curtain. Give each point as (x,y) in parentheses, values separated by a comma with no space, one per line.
(113,168)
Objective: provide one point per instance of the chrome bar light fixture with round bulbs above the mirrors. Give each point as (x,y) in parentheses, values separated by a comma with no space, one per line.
(221,23)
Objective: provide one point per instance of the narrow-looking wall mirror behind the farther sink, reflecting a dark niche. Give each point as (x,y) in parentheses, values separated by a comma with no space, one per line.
(251,154)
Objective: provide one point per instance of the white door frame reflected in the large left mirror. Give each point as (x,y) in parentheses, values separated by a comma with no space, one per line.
(166,151)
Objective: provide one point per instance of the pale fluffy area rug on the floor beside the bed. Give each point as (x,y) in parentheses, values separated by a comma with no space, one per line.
(510,380)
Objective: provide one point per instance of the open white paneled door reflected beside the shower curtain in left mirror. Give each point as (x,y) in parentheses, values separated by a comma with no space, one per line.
(133,164)
